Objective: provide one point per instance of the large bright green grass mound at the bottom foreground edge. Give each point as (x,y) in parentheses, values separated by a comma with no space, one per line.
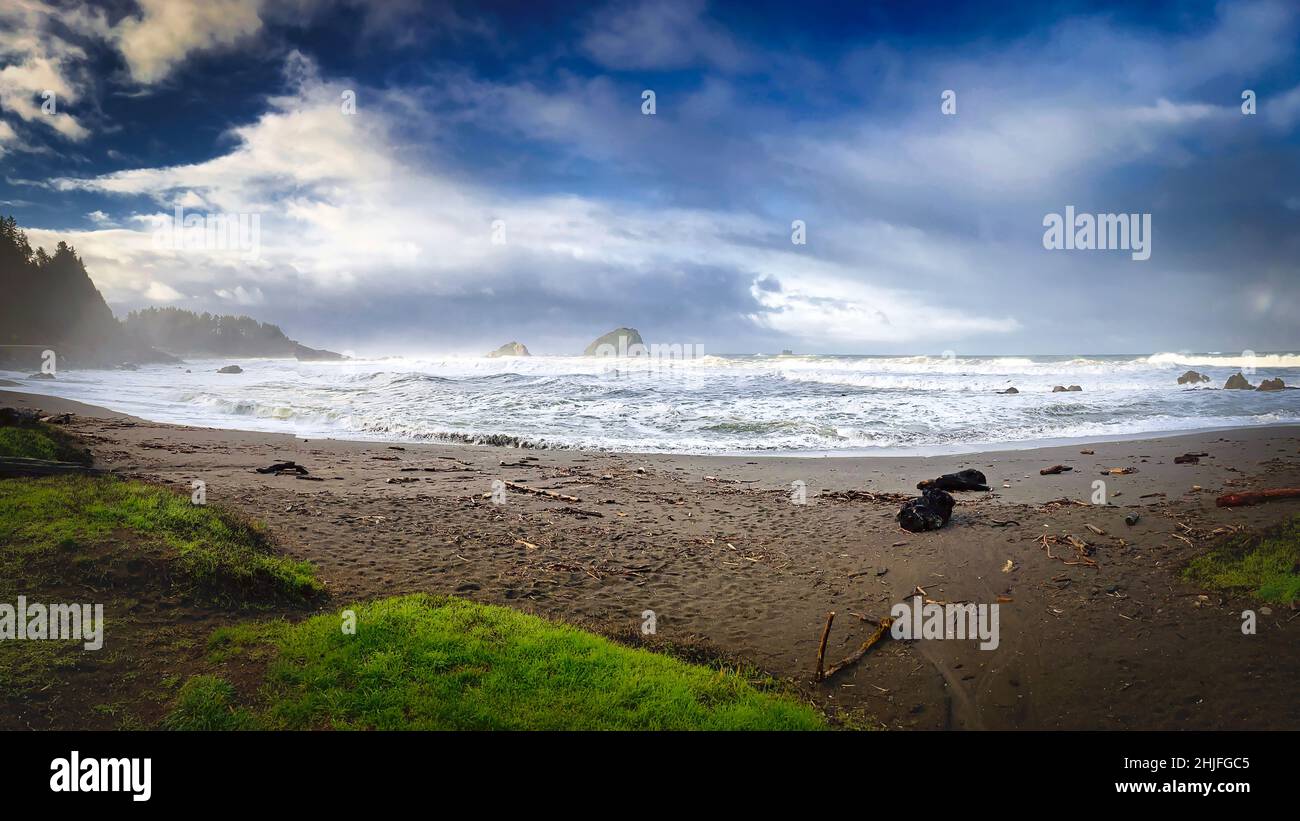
(428,663)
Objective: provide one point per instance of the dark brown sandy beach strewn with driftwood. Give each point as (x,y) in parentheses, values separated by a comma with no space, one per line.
(720,551)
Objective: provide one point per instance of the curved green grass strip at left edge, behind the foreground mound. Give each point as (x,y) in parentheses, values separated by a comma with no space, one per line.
(219,553)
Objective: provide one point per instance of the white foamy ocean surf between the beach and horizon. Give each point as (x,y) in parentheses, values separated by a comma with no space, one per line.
(713,405)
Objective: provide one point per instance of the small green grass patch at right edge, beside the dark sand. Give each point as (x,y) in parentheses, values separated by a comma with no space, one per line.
(1266,566)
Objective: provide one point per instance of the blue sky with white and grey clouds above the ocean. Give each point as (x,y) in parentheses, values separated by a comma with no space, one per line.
(447,177)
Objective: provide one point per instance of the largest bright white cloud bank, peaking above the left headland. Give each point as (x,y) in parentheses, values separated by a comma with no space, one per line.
(345,212)
